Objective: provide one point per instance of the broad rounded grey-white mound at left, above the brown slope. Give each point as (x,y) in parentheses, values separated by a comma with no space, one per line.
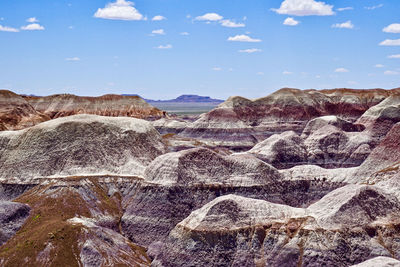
(80,145)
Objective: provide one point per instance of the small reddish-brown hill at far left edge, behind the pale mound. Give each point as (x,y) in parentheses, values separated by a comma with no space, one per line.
(16,113)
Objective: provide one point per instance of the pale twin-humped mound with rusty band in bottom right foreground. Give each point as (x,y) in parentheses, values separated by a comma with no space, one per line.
(347,226)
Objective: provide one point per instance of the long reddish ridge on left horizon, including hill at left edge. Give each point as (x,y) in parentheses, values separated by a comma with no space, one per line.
(19,112)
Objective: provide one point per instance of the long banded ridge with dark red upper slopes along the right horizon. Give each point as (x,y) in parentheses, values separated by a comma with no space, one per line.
(240,120)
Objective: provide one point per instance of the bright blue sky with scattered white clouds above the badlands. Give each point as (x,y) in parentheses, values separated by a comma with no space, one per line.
(161,49)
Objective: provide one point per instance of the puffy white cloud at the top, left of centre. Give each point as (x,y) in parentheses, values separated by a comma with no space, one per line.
(119,10)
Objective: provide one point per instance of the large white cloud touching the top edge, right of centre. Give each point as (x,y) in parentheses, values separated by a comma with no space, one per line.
(305,8)
